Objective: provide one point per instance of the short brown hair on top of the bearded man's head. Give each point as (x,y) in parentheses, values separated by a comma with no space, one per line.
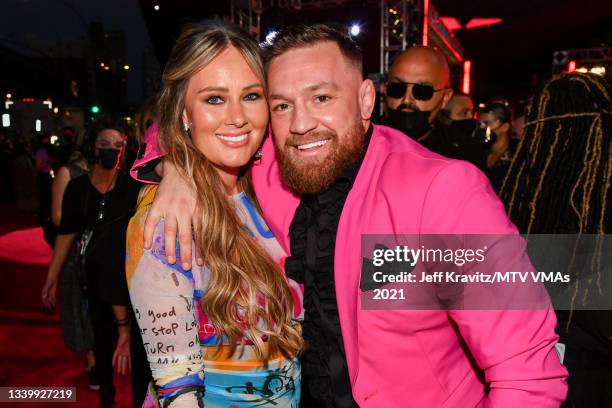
(306,35)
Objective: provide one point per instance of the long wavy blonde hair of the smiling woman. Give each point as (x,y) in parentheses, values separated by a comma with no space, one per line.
(241,270)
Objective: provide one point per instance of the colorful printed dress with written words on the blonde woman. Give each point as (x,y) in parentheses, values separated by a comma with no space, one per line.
(181,342)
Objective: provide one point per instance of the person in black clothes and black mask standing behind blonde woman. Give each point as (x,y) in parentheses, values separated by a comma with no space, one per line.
(96,208)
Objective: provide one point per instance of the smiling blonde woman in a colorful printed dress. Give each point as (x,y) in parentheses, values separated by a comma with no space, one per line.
(224,334)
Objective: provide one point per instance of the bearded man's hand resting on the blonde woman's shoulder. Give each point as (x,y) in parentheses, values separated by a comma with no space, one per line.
(175,202)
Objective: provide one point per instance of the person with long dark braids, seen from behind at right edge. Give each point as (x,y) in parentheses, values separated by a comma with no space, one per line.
(559,183)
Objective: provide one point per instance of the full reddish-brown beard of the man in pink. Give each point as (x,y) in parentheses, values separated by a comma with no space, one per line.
(306,175)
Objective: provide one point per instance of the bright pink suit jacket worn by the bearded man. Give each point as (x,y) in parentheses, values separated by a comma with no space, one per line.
(407,358)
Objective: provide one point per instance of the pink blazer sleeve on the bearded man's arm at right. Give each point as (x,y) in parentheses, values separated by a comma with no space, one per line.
(515,348)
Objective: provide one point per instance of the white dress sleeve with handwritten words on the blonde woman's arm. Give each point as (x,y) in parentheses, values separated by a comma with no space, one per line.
(162,295)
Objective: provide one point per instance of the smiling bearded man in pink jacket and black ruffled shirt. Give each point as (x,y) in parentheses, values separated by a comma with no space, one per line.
(326,177)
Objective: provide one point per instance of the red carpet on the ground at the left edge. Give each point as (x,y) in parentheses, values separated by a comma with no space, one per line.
(32,352)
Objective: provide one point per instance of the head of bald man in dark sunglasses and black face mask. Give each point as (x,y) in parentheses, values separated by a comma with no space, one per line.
(417,89)
